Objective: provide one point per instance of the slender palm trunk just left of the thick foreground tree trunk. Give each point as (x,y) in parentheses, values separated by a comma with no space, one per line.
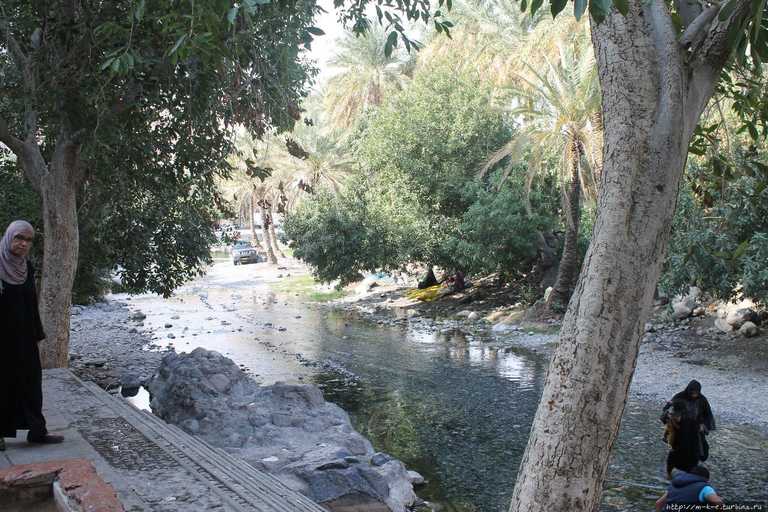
(563,287)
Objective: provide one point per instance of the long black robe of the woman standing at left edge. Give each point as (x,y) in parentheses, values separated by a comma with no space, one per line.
(21,374)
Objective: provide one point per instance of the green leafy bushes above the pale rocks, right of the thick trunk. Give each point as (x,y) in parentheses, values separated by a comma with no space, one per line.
(723,248)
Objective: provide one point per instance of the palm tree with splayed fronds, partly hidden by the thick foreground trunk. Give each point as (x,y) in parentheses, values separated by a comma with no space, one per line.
(560,115)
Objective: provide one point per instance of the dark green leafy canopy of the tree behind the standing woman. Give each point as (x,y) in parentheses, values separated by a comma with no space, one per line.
(151,89)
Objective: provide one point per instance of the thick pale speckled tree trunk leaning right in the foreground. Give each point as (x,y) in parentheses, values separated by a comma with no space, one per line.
(652,101)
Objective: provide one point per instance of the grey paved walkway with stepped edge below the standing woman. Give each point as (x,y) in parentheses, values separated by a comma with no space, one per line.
(150,464)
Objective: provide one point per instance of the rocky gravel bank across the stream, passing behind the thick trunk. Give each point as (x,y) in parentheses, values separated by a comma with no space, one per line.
(730,365)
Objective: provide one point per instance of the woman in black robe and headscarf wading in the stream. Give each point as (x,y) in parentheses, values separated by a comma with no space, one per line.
(696,421)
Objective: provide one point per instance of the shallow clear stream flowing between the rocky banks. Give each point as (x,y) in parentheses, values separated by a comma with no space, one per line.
(454,408)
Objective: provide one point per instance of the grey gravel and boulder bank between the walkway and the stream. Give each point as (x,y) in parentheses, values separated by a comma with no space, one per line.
(286,429)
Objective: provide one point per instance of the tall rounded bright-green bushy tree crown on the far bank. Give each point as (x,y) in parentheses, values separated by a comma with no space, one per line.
(422,149)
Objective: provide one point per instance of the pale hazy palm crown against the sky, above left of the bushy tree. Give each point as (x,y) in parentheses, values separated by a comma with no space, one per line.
(368,77)
